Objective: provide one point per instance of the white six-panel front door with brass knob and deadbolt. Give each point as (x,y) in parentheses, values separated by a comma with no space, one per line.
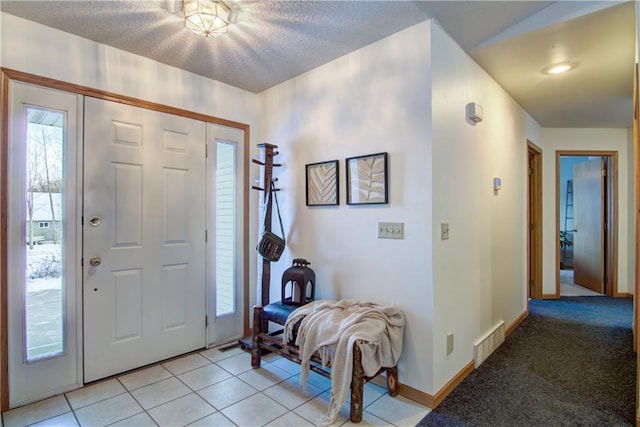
(144,237)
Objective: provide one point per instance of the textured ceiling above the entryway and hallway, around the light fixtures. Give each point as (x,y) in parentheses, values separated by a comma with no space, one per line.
(272,41)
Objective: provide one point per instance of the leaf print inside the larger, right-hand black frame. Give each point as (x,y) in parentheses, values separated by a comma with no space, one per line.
(368,180)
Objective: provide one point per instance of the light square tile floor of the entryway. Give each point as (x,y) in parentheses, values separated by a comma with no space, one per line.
(211,388)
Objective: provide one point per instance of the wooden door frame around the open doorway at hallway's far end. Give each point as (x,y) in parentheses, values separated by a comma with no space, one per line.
(610,242)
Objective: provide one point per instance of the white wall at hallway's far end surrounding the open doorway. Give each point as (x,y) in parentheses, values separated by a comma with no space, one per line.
(586,139)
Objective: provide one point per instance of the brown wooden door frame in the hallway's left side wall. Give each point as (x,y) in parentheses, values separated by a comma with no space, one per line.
(534,221)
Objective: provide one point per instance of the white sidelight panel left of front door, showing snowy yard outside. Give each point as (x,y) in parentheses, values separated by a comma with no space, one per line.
(43,243)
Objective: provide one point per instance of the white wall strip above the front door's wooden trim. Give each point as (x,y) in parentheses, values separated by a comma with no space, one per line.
(27,47)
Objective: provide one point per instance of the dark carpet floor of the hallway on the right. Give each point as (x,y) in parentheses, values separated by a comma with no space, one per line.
(570,363)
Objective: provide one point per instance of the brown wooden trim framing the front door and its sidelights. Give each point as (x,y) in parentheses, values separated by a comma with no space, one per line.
(9,74)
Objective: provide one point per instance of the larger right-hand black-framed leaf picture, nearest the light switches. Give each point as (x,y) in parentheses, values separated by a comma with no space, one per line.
(367,179)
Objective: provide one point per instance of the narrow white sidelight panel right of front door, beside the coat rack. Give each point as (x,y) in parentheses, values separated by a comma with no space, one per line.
(225,189)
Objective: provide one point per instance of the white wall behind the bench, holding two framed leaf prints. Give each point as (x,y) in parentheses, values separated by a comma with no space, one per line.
(373,100)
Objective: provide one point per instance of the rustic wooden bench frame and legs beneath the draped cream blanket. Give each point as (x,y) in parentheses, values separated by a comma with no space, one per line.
(262,340)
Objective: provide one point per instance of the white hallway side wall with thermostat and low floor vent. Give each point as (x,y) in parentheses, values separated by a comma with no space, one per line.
(480,271)
